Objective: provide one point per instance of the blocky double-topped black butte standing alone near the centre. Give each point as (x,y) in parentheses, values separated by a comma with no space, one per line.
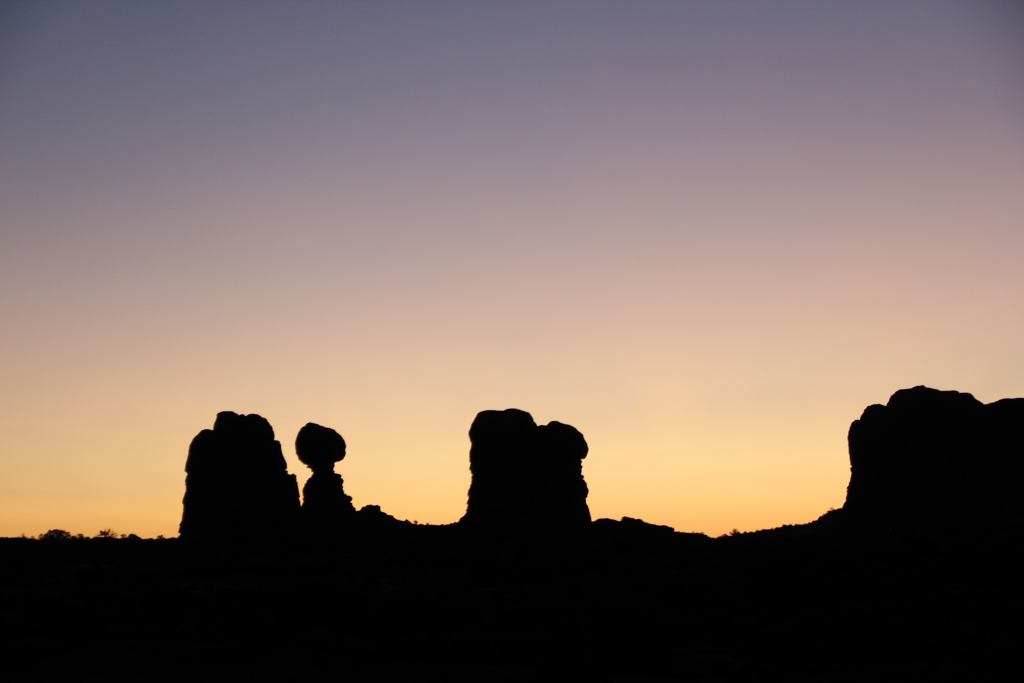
(525,476)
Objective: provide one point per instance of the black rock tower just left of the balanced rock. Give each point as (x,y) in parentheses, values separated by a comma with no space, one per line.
(237,483)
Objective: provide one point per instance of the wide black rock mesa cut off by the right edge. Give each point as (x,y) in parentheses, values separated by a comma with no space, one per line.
(934,457)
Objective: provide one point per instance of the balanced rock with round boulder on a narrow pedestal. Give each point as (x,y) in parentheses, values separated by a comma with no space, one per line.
(325,504)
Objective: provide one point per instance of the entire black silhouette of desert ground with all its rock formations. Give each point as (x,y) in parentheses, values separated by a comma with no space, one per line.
(916,578)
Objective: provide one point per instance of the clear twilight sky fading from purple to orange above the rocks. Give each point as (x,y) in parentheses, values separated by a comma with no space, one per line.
(708,235)
